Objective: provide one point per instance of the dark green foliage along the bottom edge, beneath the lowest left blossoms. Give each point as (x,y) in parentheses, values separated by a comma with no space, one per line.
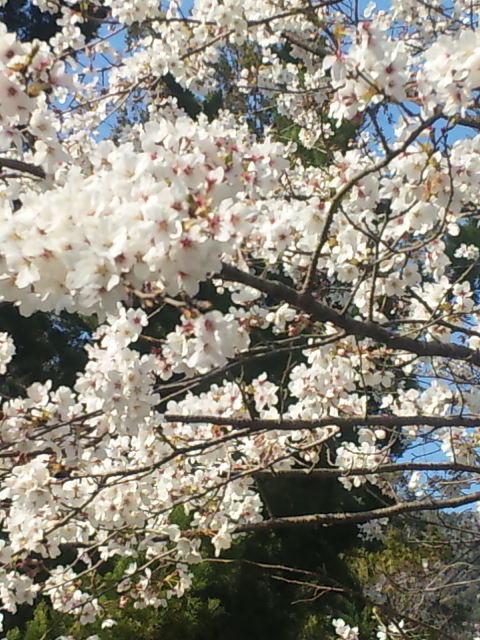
(234,600)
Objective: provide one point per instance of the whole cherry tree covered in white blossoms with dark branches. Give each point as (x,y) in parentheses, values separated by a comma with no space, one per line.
(344,269)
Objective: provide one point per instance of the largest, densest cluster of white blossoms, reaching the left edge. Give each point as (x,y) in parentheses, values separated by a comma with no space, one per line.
(163,213)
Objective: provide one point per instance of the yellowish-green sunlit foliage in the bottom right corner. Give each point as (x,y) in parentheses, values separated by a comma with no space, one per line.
(404,570)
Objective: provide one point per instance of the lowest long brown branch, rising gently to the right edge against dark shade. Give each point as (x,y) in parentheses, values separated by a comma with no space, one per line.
(327,519)
